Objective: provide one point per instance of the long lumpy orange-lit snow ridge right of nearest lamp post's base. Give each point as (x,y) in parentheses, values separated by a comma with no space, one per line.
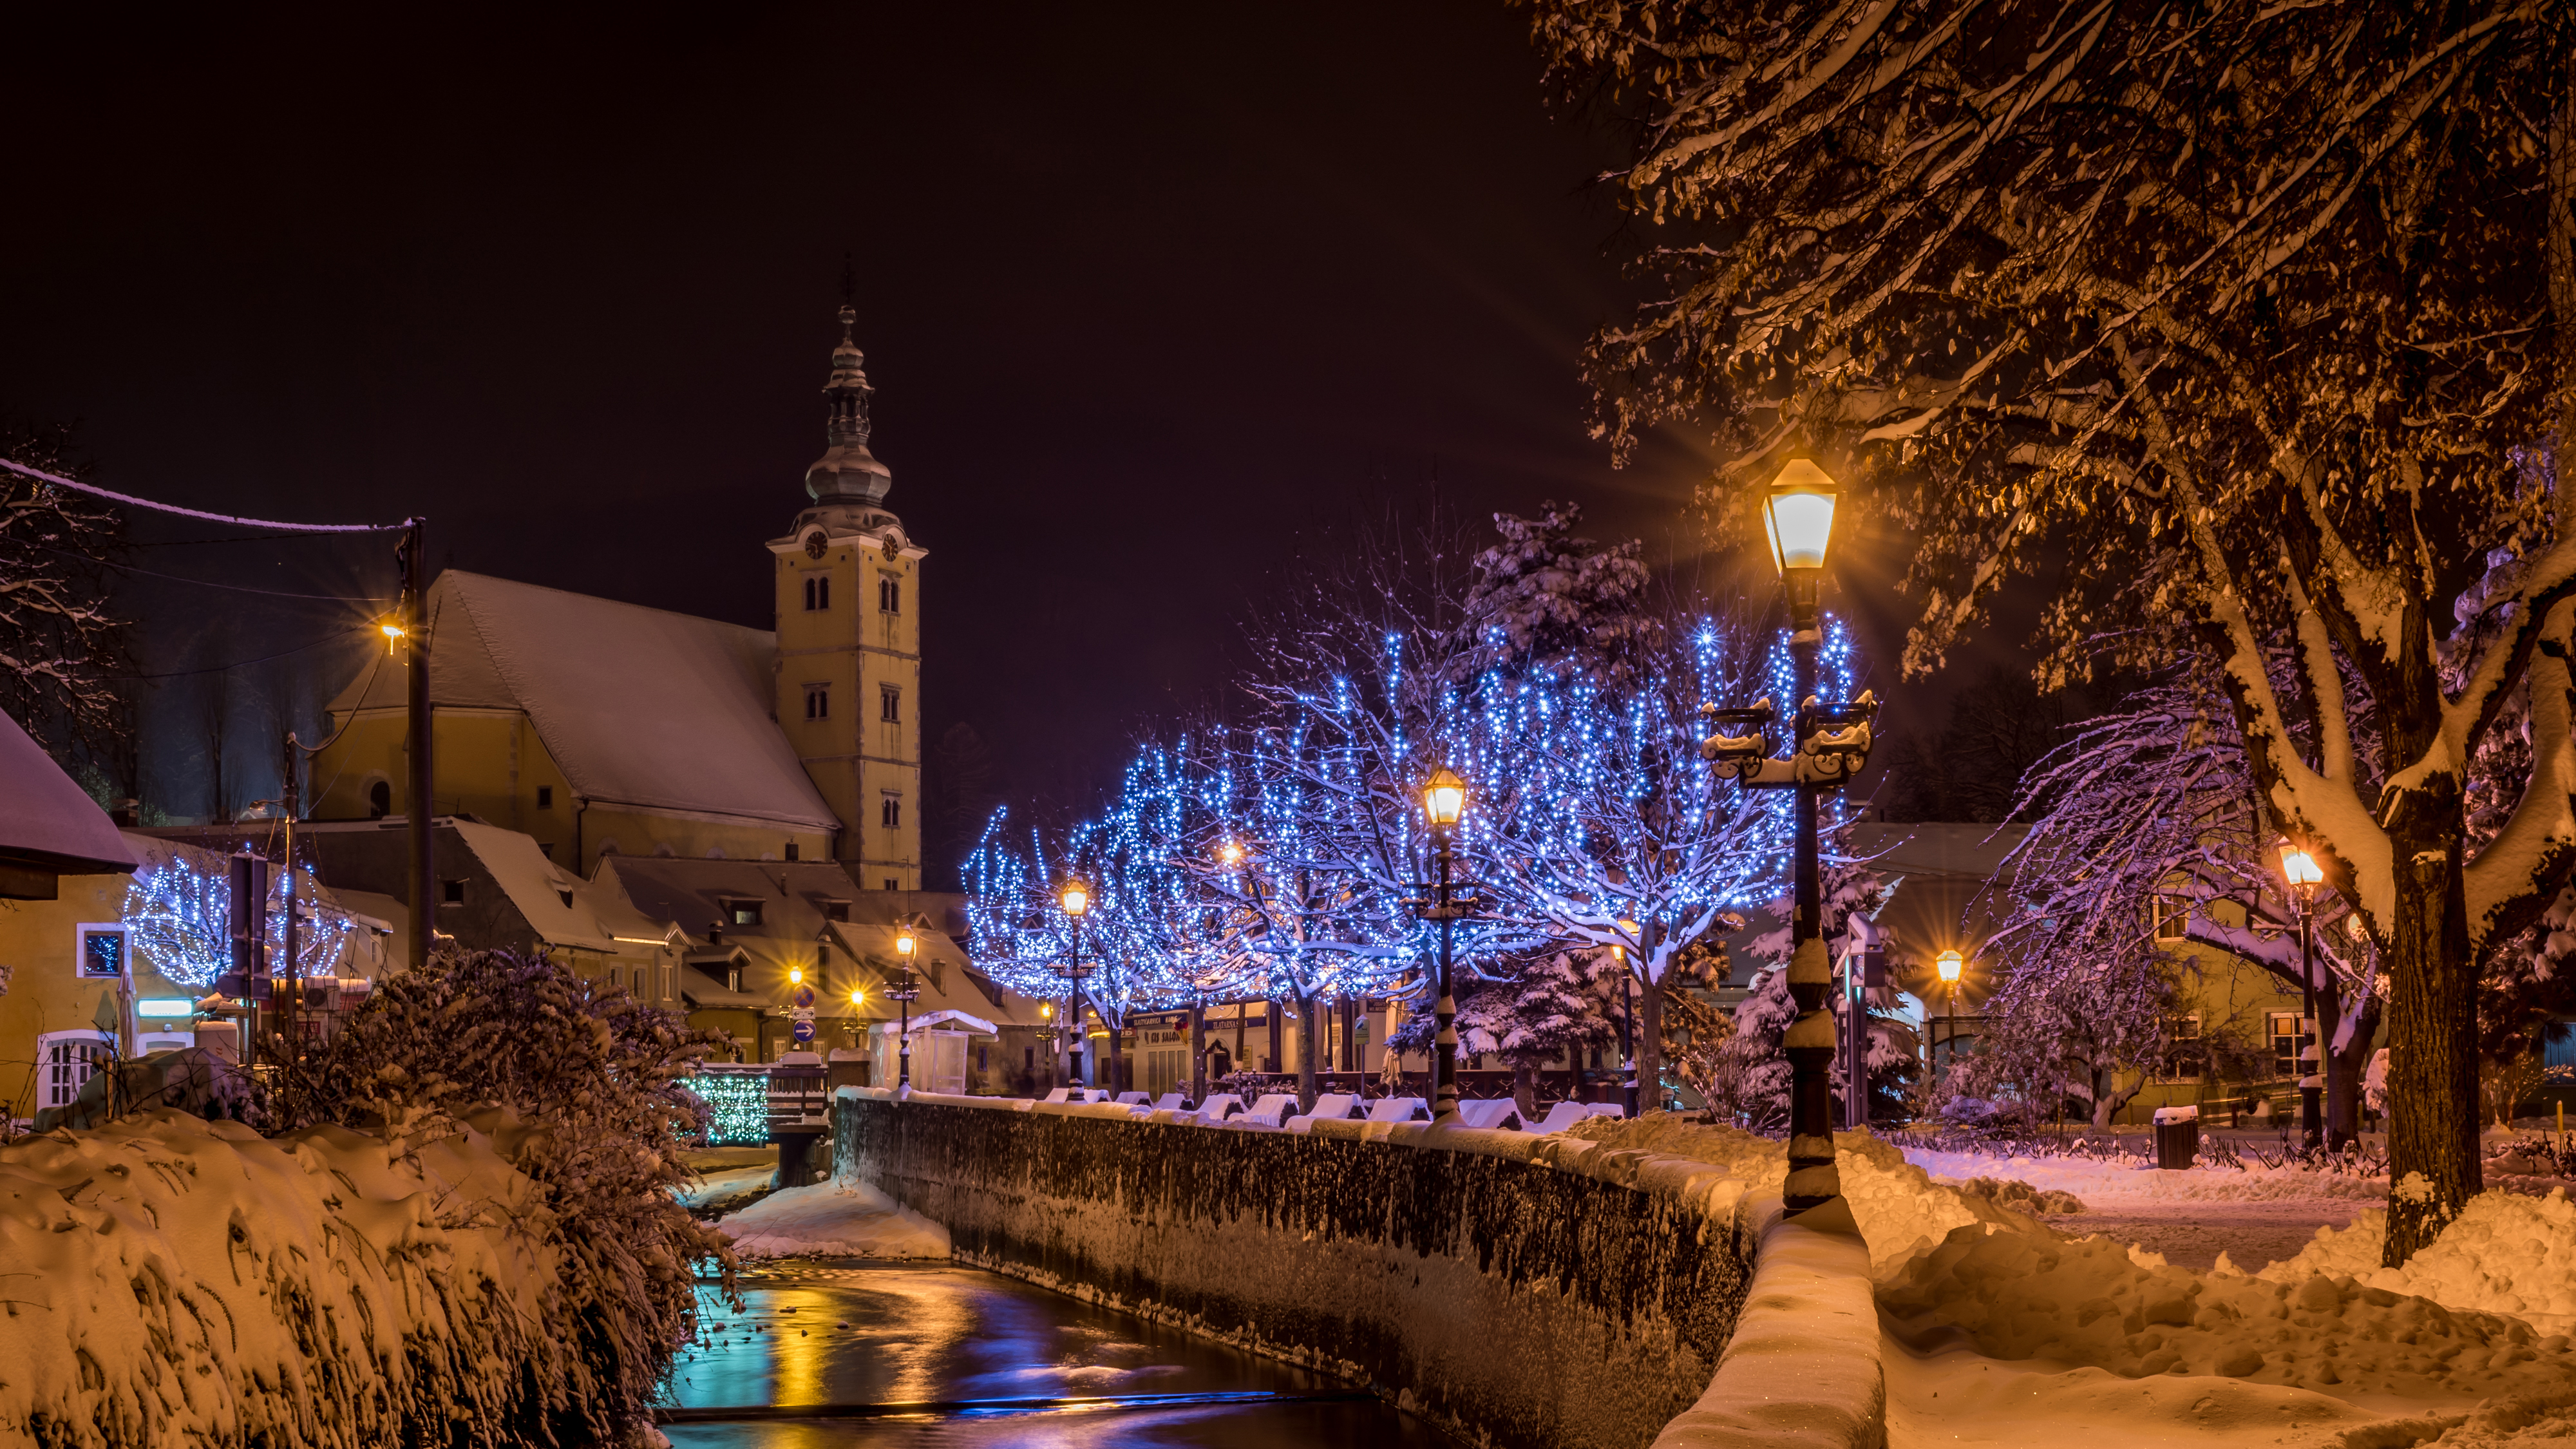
(2093,1303)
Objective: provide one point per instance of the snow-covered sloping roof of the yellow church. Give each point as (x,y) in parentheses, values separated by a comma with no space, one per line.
(638,705)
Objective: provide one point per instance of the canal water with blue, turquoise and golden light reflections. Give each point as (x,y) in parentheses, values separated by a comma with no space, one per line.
(864,1355)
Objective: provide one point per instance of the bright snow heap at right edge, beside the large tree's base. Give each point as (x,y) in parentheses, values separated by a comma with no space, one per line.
(2503,1254)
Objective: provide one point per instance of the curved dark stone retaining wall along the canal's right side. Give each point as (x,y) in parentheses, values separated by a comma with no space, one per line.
(1524,1290)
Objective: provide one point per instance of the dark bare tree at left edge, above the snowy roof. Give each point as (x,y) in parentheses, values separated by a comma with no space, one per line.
(61,643)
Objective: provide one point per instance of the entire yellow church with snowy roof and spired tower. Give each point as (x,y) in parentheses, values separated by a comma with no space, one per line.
(614,731)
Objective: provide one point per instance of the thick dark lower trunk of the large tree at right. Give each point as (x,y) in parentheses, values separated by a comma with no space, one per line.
(2433,1048)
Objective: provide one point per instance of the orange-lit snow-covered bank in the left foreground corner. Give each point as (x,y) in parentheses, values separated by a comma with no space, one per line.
(187,1283)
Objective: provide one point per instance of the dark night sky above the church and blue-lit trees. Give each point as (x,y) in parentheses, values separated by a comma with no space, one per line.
(1150,295)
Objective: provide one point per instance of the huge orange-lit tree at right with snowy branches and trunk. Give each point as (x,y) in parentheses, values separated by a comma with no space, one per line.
(2245,321)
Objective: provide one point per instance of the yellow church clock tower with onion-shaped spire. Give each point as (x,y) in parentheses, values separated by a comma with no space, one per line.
(851,643)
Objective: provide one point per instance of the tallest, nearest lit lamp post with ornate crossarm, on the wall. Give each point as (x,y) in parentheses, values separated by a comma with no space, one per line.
(1828,749)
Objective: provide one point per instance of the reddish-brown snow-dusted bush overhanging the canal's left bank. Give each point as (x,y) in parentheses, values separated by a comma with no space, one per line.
(596,1082)
